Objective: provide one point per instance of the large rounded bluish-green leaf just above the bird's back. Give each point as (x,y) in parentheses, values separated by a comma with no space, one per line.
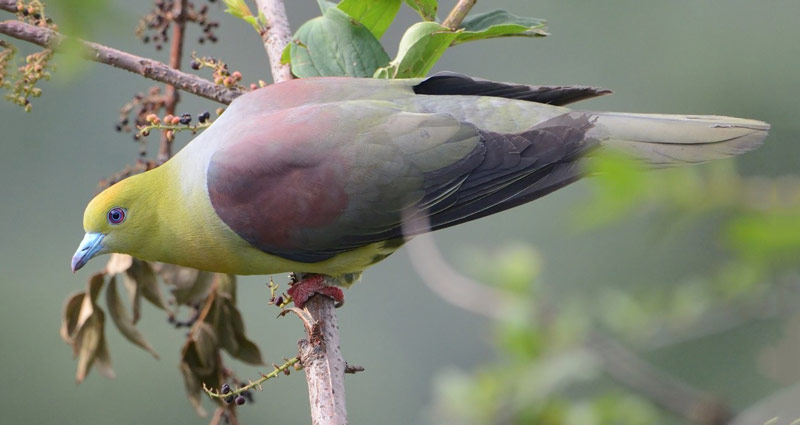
(336,45)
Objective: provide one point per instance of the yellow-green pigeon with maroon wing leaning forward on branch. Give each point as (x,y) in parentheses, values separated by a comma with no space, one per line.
(318,175)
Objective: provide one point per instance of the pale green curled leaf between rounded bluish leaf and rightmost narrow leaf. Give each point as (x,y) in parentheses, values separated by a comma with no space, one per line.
(421,46)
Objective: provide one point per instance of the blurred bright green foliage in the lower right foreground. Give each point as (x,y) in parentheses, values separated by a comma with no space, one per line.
(548,368)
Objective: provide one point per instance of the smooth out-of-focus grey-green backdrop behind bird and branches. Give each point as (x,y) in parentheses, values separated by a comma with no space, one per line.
(725,57)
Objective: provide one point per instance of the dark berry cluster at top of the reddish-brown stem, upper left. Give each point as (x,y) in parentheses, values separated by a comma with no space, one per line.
(155,25)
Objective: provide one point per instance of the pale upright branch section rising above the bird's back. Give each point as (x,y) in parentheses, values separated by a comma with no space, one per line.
(277,35)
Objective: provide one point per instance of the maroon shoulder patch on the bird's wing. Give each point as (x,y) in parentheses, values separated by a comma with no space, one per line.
(272,189)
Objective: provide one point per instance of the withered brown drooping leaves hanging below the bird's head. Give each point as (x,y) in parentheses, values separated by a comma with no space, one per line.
(217,324)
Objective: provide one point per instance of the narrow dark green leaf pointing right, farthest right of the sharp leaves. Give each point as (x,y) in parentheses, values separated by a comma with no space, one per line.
(499,23)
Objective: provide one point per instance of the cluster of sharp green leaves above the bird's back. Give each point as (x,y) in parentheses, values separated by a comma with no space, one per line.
(344,40)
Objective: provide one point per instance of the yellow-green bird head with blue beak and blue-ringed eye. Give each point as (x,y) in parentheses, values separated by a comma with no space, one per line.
(116,220)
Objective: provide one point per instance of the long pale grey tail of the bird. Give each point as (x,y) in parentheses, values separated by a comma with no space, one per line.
(667,140)
